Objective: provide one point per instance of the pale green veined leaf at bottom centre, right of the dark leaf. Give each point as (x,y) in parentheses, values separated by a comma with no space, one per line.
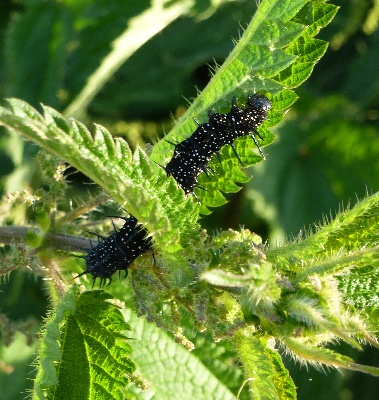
(171,371)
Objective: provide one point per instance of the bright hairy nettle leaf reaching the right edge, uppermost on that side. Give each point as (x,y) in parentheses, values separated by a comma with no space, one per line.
(351,233)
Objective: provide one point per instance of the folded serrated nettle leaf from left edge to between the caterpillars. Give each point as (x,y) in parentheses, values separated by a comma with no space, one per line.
(131,179)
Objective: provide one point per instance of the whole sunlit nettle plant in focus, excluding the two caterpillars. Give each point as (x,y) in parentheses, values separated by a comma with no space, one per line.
(254,302)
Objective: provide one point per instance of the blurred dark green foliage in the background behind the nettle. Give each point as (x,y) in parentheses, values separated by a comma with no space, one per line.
(325,157)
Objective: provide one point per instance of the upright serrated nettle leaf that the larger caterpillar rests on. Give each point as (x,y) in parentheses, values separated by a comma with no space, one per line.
(276,52)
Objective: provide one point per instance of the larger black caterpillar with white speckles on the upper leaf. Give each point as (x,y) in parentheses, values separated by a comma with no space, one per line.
(191,157)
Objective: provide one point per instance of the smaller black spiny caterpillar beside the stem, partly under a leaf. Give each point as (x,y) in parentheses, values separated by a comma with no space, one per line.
(117,252)
